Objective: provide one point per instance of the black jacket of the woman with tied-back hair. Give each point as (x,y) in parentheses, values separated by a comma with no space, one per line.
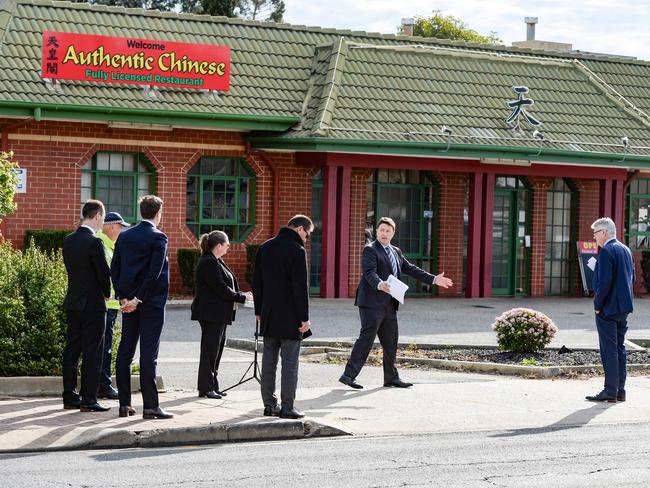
(215,292)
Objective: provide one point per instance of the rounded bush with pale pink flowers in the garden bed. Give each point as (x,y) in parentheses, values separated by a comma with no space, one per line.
(523,330)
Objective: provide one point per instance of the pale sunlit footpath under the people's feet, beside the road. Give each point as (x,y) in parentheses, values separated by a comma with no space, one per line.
(439,402)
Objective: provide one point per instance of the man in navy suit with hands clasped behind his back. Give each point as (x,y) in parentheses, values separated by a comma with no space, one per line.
(140,273)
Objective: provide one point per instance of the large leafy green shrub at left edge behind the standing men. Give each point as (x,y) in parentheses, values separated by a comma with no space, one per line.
(32,318)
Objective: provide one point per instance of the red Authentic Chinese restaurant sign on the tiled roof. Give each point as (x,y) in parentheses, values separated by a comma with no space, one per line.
(86,57)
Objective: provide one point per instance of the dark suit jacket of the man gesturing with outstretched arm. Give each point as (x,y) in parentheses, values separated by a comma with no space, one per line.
(376,267)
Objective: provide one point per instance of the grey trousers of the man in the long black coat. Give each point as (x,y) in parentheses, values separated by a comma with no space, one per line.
(289,349)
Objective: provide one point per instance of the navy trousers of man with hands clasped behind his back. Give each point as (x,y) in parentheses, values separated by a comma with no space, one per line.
(144,324)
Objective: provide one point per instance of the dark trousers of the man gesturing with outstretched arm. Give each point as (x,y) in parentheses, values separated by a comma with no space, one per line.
(375,322)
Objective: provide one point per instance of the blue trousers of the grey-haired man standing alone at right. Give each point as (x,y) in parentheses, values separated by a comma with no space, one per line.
(611,336)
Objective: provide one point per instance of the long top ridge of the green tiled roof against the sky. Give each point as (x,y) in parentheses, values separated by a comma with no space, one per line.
(330,30)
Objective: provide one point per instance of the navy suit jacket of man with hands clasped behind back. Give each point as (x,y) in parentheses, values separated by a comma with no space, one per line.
(140,267)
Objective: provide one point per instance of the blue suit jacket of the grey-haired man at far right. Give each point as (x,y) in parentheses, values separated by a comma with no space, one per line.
(613,278)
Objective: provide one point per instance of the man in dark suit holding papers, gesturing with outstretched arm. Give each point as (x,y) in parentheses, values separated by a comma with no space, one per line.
(377,308)
